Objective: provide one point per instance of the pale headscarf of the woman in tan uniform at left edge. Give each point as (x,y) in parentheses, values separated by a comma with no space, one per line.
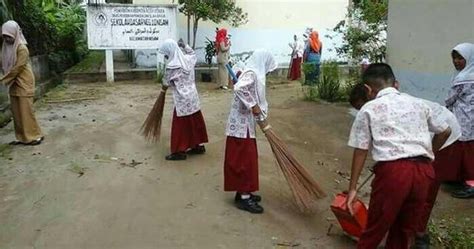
(9,51)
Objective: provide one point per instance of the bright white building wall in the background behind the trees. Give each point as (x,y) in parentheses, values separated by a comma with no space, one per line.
(272,24)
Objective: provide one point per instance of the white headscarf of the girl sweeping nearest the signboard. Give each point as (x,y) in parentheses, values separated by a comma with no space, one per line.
(176,58)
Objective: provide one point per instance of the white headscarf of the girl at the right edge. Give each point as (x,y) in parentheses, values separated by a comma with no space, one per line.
(465,76)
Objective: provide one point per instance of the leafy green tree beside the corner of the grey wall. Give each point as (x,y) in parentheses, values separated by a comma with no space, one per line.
(364,31)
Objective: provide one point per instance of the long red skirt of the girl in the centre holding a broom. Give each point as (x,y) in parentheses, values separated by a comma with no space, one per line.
(241,165)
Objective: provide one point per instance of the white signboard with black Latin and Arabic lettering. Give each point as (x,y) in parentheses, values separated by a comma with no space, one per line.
(125,26)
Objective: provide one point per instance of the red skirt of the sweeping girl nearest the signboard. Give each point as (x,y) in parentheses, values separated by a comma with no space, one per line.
(187,132)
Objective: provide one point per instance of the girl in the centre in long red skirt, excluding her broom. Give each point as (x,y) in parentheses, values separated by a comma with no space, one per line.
(248,106)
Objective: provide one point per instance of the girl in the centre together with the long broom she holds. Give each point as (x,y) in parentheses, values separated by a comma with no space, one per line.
(249,108)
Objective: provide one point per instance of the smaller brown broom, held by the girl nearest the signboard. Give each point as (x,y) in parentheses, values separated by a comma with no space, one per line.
(151,128)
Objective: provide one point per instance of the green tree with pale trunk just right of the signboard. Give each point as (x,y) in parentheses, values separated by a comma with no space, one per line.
(216,11)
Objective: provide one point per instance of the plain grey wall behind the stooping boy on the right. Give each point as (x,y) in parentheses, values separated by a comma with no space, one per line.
(421,35)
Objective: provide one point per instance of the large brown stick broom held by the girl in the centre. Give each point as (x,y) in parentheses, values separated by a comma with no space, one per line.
(306,191)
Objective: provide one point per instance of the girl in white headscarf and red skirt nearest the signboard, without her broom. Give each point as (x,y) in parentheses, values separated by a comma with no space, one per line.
(188,130)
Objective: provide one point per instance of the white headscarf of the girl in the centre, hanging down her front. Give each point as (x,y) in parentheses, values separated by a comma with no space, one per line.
(261,62)
